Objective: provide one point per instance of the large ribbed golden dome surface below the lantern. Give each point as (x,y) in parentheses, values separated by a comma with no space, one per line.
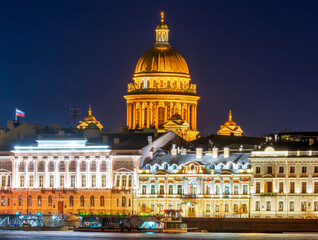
(162,59)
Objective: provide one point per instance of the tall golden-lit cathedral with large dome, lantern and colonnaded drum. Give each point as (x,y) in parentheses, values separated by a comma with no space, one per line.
(161,89)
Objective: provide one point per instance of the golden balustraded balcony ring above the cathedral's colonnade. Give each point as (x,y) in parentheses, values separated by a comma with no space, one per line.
(189,91)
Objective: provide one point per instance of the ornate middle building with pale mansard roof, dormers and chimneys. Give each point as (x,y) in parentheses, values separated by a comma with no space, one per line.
(200,184)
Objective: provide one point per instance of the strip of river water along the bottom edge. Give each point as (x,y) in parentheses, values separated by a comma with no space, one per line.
(134,236)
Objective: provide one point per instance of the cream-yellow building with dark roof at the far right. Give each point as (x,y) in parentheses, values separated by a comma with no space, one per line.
(285,178)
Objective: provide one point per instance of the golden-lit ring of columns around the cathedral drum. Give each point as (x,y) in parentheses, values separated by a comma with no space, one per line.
(150,110)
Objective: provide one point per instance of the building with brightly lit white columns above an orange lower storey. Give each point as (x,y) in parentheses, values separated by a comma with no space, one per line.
(71,177)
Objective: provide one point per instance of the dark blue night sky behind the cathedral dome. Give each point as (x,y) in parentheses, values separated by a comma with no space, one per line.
(258,58)
